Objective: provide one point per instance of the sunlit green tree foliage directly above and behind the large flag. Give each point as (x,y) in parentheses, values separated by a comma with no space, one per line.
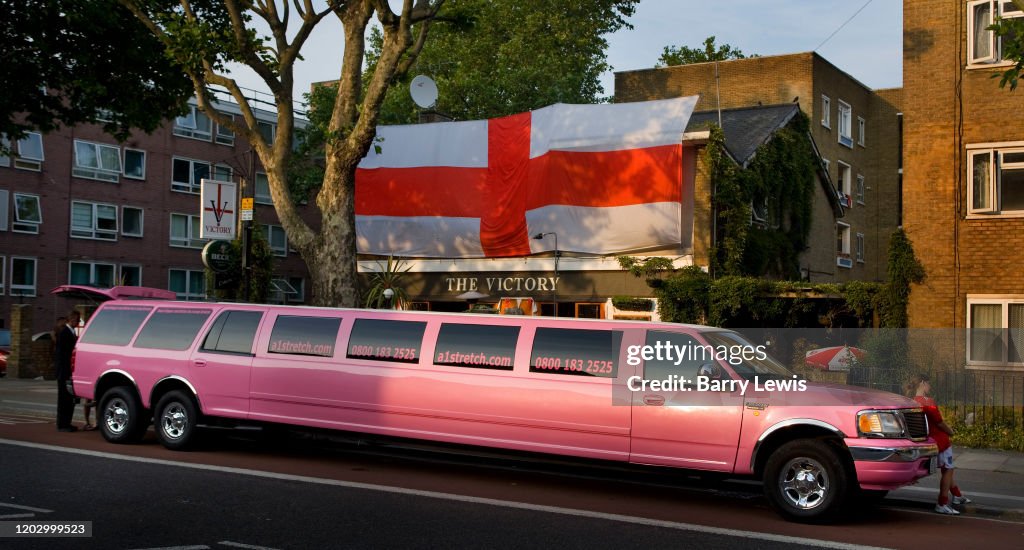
(496,58)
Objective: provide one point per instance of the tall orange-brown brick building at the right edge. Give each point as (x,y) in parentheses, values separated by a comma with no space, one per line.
(964,180)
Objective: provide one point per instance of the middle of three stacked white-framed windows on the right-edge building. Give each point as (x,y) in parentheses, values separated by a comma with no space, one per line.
(997,181)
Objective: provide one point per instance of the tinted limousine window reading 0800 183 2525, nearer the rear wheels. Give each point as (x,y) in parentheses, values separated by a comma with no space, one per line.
(387,341)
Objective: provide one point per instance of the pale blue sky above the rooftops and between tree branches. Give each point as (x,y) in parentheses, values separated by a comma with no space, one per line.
(869,47)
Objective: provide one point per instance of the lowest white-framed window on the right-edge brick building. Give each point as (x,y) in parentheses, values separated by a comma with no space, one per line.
(996,331)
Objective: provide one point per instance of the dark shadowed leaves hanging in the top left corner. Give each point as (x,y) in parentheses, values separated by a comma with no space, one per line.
(97,63)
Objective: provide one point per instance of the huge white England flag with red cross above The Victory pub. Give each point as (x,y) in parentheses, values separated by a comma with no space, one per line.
(607,179)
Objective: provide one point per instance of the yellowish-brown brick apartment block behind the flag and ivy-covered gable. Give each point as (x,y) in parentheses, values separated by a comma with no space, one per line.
(857,132)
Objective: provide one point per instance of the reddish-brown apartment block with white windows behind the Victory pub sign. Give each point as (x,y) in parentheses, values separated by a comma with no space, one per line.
(77,207)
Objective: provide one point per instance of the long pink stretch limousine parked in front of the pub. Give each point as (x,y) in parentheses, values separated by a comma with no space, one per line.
(675,396)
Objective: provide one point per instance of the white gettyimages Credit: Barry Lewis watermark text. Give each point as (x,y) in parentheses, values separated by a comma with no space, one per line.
(734,355)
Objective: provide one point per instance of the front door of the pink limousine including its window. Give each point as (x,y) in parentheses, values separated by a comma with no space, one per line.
(676,424)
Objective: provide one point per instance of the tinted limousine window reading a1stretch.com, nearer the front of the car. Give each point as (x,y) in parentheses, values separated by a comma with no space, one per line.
(477,347)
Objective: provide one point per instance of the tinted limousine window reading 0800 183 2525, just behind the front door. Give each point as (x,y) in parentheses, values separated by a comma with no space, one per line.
(576,352)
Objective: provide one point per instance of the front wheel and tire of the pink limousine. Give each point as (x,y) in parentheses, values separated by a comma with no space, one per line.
(806,481)
